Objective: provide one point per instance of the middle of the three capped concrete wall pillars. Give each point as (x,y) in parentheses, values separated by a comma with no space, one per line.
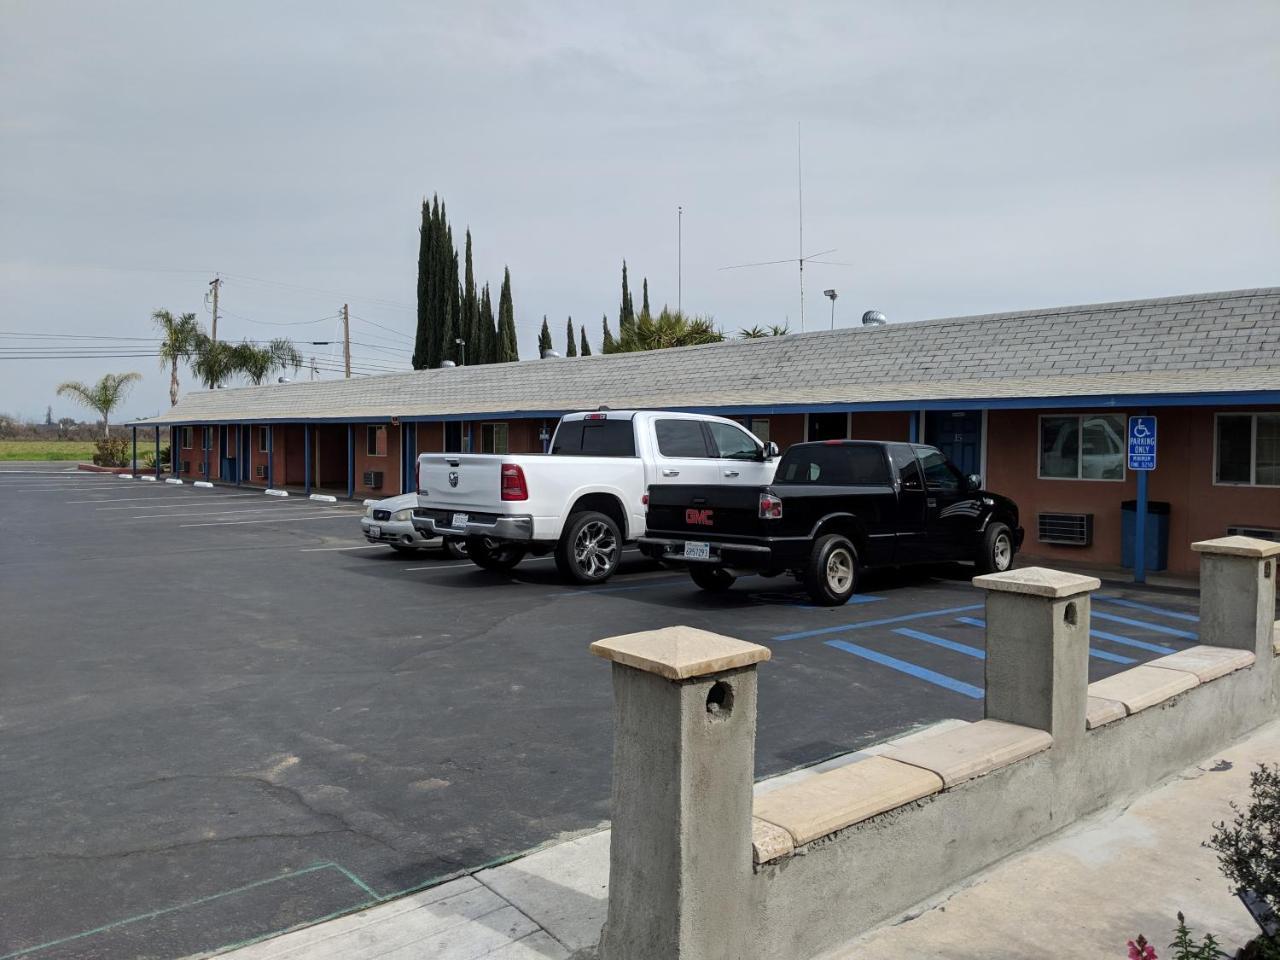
(1039,652)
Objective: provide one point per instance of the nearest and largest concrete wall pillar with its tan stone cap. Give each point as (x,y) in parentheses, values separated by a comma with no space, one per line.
(684,753)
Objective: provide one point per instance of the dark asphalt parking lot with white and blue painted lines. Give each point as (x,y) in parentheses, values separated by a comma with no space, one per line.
(225,715)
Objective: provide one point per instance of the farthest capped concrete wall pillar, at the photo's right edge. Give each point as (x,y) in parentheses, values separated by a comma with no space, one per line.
(1238,593)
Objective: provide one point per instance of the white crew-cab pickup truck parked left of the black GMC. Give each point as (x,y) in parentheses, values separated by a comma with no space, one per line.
(586,499)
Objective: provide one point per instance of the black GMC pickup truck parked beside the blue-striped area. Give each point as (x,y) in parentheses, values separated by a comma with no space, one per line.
(834,509)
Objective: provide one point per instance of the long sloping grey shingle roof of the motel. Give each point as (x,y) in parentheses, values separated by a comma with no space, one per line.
(1208,342)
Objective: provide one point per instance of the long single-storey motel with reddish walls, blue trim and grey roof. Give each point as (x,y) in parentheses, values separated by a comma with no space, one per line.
(1036,403)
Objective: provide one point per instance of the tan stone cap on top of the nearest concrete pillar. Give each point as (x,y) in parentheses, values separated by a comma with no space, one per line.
(680,653)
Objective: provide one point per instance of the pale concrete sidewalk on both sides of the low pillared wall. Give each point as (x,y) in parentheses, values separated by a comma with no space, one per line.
(1082,894)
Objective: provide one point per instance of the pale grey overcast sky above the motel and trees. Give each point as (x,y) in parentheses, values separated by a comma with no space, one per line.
(964,158)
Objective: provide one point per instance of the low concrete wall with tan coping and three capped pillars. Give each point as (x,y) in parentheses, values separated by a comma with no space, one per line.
(694,875)
